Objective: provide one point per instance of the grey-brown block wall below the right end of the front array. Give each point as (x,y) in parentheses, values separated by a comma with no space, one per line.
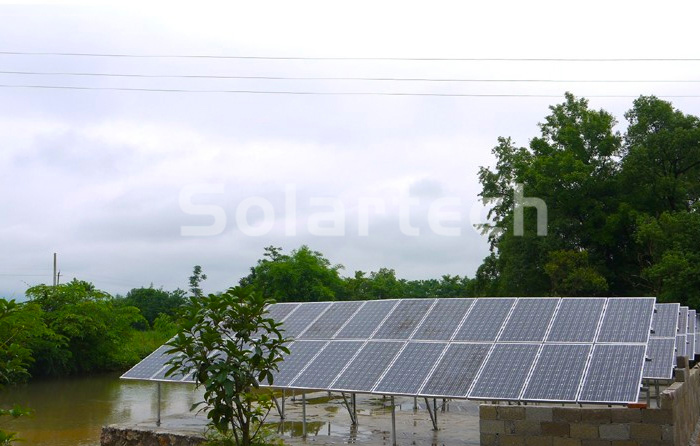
(672,424)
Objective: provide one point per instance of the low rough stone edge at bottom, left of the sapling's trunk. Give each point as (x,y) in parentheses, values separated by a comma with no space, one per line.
(124,436)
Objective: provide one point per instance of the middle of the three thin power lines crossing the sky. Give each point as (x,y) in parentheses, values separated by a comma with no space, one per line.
(333,78)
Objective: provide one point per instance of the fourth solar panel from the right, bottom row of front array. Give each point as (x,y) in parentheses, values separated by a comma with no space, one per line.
(455,372)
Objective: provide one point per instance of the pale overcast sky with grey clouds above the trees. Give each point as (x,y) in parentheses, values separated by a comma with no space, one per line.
(100,176)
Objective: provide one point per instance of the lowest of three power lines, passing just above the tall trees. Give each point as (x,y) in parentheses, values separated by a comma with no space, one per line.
(326,93)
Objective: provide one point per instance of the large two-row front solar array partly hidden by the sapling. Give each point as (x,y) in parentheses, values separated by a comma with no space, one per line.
(577,350)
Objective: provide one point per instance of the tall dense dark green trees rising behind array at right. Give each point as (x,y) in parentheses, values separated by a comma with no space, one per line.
(622,208)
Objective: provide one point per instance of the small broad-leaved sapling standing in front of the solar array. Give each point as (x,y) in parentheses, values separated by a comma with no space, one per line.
(231,345)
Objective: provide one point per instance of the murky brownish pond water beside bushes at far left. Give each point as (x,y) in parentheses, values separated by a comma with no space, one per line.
(72,411)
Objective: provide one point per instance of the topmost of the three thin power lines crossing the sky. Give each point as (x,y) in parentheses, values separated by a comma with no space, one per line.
(409,59)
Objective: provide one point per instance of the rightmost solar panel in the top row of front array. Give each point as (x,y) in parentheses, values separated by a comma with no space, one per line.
(627,320)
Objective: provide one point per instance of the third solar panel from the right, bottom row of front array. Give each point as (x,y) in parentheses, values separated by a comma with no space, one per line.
(503,375)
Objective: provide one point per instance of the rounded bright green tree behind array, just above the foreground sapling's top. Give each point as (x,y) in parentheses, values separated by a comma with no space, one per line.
(303,275)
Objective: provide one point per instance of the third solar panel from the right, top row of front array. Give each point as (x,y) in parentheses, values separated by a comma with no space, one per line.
(529,320)
